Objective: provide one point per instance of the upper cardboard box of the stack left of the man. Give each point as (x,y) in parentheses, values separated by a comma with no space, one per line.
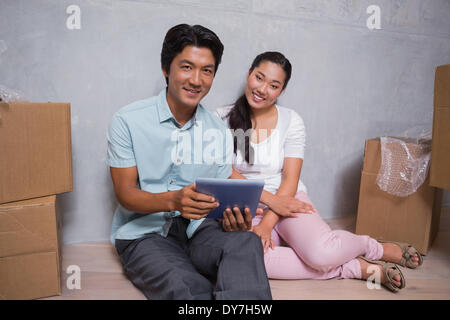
(35,150)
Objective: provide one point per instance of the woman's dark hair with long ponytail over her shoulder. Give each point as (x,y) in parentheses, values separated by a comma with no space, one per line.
(239,116)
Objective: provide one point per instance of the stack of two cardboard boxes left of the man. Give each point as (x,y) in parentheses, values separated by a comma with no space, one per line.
(35,166)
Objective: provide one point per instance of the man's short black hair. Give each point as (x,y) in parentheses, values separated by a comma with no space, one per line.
(182,35)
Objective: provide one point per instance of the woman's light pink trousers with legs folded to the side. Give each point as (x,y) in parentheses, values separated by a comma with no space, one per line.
(313,250)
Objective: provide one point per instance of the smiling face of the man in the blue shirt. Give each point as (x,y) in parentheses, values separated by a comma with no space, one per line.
(190,77)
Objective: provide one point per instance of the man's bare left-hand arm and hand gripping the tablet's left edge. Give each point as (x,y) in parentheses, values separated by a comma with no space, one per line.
(192,205)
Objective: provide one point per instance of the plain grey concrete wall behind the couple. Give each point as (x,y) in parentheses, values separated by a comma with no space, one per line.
(349,83)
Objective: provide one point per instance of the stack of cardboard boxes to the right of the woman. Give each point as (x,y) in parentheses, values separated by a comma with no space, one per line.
(413,219)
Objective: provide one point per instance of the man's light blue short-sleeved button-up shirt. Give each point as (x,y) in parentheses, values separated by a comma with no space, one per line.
(168,157)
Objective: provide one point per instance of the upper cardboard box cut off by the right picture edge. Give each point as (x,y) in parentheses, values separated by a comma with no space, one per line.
(440,154)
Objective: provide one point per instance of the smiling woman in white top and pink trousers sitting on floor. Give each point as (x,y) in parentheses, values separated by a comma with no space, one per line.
(275,153)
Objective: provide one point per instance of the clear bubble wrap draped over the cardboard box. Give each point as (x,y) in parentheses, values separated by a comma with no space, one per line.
(404,164)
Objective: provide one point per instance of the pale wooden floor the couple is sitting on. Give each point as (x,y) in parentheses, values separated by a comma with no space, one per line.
(102,276)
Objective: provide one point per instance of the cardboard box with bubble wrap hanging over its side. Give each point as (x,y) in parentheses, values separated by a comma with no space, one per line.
(413,219)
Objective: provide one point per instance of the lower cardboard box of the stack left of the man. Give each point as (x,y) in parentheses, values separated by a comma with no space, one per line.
(30,249)
